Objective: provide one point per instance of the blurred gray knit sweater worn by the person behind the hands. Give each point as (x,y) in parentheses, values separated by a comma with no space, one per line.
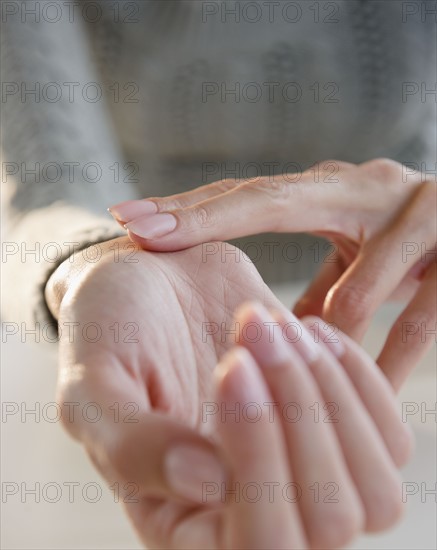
(108,101)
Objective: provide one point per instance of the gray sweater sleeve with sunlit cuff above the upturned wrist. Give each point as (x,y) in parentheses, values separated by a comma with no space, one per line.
(61,161)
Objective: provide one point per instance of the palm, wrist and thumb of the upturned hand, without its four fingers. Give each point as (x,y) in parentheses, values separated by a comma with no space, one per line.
(139,340)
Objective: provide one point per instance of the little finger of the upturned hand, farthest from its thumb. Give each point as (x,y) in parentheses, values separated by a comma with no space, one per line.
(372,387)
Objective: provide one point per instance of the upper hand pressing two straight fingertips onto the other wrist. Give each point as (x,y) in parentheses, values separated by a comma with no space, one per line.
(380,217)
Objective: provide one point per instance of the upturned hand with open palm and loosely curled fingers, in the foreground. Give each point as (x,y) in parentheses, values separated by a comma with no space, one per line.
(168,370)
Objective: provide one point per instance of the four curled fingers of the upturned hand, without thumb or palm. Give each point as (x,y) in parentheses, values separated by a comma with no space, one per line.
(343,473)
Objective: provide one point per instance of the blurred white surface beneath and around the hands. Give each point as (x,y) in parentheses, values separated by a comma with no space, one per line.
(40,451)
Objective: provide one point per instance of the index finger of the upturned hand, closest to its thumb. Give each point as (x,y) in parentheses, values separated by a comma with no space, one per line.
(257,457)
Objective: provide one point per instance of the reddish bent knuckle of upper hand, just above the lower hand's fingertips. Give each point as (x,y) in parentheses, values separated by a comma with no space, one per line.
(349,303)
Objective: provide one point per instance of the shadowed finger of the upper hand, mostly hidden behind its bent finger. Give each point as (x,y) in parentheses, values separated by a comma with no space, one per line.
(311,302)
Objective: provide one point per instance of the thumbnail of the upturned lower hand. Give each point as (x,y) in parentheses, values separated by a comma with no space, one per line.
(194,473)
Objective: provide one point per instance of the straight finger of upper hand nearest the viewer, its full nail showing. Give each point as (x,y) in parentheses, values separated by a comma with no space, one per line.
(248,209)
